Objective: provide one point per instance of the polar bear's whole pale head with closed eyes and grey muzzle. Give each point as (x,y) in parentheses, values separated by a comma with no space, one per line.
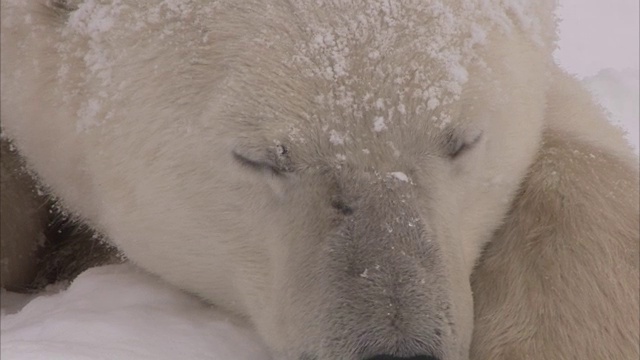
(329,169)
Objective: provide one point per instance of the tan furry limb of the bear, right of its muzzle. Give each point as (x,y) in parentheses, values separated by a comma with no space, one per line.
(560,279)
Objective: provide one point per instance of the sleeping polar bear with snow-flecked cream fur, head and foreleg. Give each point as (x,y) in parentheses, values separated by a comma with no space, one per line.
(333,170)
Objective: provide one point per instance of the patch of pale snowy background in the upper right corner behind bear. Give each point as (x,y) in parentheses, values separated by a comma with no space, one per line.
(599,43)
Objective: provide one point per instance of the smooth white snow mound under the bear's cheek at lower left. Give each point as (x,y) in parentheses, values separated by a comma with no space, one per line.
(118,312)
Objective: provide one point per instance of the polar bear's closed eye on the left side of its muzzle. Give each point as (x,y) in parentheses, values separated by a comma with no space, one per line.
(260,156)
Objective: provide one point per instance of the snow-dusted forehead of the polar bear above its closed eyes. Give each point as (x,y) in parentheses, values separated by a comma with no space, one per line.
(363,82)
